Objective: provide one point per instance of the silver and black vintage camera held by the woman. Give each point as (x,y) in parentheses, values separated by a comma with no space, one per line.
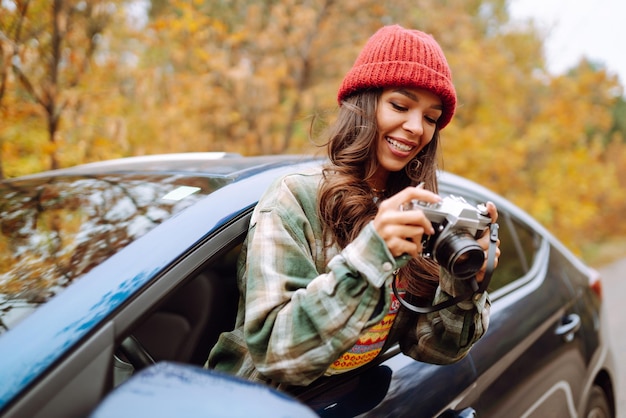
(457,225)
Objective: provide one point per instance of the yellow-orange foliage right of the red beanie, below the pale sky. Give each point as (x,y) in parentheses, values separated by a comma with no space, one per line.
(533,137)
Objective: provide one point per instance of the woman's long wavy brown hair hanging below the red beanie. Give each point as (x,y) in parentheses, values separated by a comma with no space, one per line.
(346,201)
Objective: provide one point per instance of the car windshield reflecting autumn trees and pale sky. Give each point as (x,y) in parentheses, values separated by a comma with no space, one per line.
(54,230)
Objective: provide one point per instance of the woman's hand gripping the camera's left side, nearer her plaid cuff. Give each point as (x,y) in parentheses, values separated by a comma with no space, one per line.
(401,230)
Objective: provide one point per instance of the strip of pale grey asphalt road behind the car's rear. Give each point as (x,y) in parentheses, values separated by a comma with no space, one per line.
(614,291)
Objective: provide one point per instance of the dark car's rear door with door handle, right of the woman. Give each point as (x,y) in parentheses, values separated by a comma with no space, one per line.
(529,364)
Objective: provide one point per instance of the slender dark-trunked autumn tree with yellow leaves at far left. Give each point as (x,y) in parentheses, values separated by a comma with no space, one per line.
(53,44)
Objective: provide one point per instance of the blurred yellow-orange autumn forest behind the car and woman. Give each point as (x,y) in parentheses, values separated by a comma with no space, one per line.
(88,80)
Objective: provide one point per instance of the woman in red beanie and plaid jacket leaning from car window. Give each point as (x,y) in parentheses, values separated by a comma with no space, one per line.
(324,246)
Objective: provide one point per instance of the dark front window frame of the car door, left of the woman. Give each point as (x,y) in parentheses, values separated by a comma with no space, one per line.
(75,370)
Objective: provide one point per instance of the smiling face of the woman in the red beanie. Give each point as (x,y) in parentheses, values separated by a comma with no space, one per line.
(407,121)
